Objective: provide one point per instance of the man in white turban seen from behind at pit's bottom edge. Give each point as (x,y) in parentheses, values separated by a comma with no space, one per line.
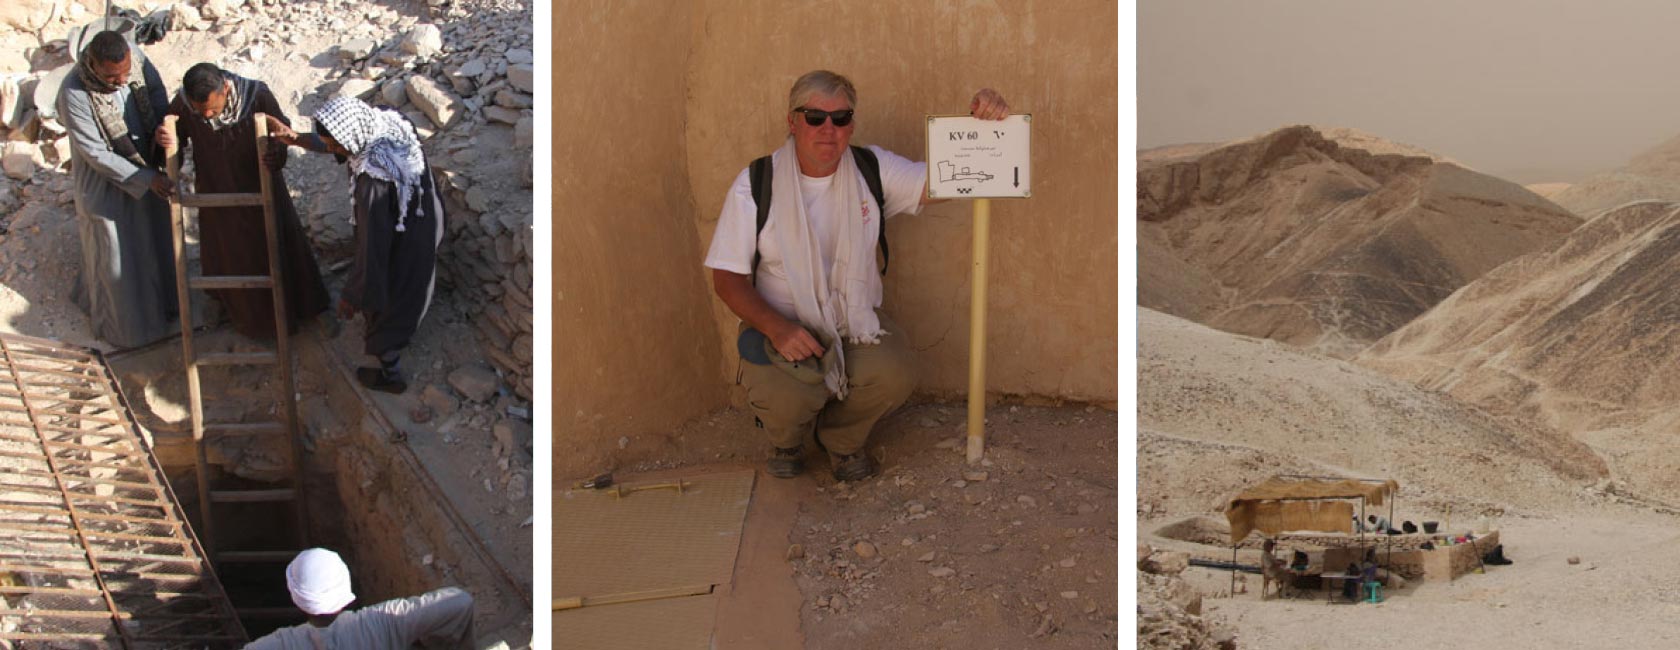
(320,585)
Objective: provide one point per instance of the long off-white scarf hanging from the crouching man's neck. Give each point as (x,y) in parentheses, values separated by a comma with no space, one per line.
(837,303)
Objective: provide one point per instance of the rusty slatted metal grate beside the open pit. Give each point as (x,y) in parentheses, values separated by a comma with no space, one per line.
(95,550)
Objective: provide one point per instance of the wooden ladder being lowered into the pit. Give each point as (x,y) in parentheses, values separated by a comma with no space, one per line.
(280,357)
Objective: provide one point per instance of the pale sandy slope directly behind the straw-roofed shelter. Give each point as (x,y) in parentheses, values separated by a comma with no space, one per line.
(1217,412)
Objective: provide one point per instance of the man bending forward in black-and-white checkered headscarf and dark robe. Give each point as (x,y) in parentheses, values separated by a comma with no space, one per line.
(399,216)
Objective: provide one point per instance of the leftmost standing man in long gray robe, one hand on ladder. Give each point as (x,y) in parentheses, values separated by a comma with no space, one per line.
(112,107)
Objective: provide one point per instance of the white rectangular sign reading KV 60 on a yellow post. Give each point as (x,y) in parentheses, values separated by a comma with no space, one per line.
(980,159)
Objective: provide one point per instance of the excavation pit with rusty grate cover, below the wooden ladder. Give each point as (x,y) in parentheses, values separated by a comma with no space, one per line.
(127,474)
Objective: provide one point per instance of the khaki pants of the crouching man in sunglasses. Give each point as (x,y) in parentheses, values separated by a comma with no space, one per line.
(881,377)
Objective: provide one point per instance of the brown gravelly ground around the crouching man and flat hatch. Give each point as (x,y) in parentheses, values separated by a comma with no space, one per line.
(1024,558)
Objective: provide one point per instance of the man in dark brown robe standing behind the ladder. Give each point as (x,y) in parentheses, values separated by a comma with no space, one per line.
(216,113)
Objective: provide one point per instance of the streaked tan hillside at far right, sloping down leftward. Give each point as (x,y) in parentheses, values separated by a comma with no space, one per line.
(1580,337)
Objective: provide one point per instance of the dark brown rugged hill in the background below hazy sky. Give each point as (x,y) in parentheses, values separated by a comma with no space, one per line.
(1296,238)
